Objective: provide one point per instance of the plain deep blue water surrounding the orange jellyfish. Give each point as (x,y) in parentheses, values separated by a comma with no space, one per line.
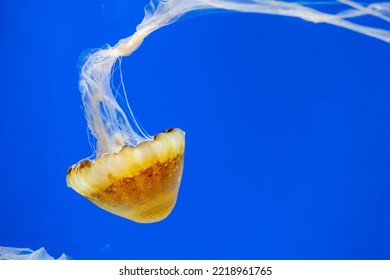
(287,134)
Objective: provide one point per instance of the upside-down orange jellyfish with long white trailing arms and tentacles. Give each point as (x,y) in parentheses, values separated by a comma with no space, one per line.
(137,176)
